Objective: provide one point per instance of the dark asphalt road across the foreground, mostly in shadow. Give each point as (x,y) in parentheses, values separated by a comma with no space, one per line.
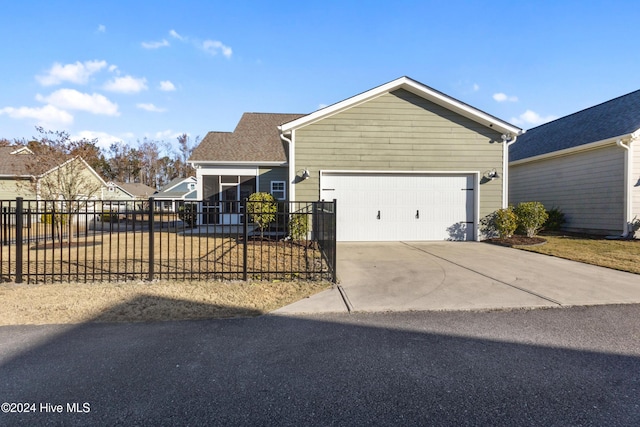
(570,366)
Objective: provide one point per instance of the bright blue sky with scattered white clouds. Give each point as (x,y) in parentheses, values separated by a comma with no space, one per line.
(126,70)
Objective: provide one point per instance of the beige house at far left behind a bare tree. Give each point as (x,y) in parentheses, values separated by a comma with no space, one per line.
(23,174)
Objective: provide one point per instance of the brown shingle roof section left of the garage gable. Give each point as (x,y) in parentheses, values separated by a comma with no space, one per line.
(255,140)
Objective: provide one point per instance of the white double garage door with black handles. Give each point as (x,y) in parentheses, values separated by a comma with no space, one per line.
(396,207)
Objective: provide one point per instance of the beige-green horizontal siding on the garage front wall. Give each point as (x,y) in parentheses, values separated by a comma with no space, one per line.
(399,131)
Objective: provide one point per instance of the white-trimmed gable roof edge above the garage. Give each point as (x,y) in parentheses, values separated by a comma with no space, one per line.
(416,88)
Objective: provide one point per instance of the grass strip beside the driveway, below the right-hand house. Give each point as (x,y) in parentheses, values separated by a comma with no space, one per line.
(617,254)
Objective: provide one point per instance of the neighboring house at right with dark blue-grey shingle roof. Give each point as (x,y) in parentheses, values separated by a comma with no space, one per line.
(587,164)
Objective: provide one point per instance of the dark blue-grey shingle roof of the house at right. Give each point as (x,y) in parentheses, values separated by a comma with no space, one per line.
(618,117)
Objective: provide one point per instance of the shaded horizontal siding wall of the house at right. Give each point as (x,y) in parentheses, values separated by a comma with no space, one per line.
(588,187)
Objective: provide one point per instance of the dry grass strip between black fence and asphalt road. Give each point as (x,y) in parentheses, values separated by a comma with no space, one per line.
(141,302)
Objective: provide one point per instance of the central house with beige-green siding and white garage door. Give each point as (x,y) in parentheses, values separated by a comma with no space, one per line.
(403,161)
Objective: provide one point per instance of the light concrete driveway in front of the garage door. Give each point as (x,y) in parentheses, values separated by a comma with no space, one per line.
(399,276)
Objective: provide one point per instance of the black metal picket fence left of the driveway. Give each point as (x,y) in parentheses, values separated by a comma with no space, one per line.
(93,241)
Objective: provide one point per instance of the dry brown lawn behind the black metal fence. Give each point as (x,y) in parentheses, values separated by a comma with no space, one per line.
(125,256)
